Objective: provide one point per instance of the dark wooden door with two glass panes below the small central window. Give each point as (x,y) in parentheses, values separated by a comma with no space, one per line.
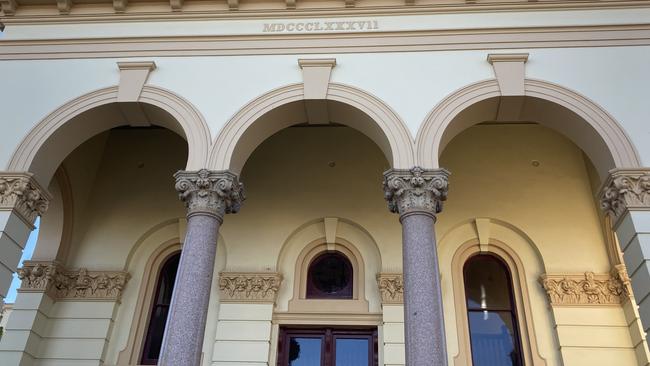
(329,346)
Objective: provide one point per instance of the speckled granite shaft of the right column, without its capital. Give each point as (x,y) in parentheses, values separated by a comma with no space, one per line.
(424,323)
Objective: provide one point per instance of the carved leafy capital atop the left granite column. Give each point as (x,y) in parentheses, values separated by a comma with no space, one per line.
(212,192)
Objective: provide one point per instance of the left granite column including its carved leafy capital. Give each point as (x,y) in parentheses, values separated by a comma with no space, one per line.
(208,196)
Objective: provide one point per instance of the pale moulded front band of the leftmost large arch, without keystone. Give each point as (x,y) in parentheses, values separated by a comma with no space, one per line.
(191,122)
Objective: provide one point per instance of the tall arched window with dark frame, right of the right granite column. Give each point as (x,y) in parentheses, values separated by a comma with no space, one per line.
(491,312)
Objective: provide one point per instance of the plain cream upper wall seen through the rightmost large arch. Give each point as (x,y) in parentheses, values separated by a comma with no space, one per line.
(492,175)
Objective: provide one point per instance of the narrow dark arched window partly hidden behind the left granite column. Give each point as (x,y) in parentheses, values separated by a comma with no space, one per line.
(159,310)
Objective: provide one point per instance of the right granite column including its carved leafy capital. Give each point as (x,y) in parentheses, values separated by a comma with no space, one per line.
(417,196)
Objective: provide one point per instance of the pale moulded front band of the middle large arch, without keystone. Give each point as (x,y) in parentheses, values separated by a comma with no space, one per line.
(394,129)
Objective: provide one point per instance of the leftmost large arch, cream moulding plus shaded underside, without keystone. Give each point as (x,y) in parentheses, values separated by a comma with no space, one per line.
(58,134)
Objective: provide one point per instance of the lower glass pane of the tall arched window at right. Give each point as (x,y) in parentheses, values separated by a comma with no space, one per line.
(493,338)
